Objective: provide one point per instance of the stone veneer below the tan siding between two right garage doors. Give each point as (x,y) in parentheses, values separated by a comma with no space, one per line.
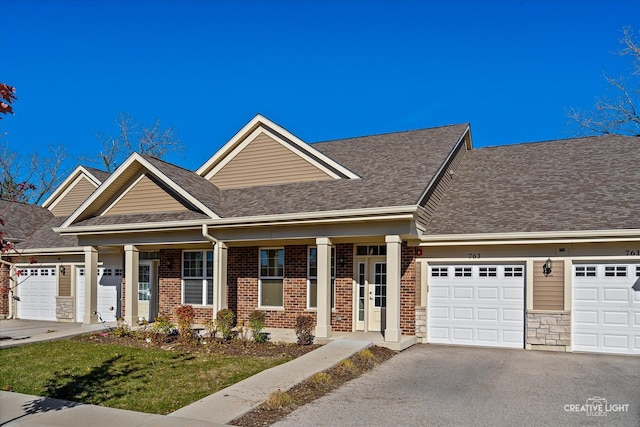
(548,330)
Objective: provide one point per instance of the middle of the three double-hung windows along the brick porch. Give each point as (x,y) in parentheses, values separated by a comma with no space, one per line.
(271,280)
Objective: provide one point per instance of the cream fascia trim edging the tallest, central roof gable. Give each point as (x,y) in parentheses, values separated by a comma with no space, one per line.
(284,137)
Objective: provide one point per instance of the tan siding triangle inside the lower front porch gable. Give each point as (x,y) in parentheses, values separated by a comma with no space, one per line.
(145,196)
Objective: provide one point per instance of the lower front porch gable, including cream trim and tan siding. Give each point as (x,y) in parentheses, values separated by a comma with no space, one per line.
(141,186)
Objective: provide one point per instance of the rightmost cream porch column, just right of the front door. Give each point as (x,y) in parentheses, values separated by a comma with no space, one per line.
(392,332)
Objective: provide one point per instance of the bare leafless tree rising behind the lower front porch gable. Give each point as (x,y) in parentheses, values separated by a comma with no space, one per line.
(134,137)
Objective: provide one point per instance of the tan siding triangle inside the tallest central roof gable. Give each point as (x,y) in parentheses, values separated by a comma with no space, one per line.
(265,161)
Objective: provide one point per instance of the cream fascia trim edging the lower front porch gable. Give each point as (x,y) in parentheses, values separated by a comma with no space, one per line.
(135,158)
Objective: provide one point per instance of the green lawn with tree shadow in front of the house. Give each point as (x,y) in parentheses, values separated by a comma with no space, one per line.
(144,380)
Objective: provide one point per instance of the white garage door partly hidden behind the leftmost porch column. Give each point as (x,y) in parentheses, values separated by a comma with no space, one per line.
(109,279)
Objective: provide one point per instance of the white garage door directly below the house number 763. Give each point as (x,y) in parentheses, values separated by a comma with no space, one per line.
(476,305)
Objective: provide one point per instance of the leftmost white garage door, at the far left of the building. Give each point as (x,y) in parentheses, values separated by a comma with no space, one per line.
(37,292)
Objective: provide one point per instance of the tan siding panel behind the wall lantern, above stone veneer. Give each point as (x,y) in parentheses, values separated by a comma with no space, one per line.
(548,292)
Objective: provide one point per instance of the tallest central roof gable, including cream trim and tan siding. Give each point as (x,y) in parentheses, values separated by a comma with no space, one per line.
(264,153)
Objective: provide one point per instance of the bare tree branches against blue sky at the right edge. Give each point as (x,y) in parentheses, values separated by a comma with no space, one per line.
(616,114)
